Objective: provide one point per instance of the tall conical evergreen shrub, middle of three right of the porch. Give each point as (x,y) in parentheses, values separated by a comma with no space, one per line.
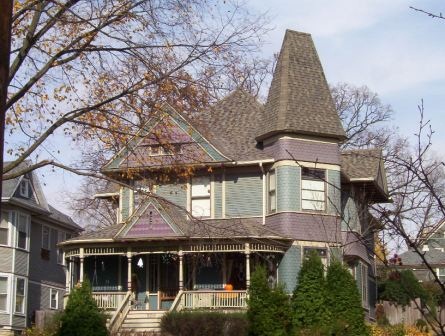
(309,306)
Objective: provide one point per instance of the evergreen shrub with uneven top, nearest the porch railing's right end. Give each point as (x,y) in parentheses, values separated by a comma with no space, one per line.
(269,312)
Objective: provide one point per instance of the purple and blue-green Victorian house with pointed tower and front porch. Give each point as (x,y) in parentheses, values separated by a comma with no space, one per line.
(269,185)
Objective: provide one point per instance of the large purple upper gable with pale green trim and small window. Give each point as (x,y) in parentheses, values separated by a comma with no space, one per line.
(166,139)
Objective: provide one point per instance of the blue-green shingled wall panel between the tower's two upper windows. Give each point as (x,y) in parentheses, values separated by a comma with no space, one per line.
(288,188)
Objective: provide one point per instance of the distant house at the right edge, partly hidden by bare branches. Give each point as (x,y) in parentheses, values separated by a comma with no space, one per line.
(433,248)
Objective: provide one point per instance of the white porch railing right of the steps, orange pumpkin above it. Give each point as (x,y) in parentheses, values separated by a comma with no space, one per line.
(211,299)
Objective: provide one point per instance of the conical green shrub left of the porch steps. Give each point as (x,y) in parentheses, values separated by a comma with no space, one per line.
(82,316)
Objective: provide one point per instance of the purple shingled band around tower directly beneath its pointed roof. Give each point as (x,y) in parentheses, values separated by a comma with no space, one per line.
(297,149)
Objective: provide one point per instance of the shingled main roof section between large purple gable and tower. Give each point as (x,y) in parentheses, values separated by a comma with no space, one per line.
(232,124)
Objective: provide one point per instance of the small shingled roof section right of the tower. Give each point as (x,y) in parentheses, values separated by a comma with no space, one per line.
(361,163)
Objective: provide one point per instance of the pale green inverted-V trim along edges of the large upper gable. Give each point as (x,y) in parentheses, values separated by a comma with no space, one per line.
(179,121)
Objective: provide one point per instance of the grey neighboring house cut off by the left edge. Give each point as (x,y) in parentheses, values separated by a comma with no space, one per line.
(32,272)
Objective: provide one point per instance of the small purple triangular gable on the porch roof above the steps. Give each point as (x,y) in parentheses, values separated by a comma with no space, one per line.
(150,221)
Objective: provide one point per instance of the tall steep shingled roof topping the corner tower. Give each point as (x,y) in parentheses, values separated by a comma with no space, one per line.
(299,99)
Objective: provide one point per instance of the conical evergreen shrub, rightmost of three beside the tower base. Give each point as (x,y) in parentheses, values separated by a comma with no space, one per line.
(344,302)
